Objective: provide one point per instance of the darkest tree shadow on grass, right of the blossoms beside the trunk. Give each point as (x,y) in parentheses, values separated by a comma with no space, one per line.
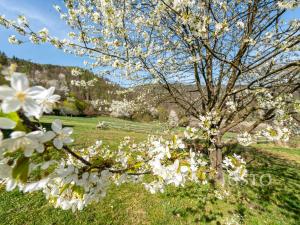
(283,189)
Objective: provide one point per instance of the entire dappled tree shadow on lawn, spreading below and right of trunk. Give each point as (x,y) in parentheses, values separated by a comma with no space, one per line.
(275,197)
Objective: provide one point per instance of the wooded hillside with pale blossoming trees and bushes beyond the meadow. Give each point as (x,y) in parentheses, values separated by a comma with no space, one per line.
(80,100)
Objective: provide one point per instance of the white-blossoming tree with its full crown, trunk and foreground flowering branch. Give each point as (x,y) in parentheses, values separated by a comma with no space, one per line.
(220,61)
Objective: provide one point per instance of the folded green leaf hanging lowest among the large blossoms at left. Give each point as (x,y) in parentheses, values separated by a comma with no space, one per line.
(21,169)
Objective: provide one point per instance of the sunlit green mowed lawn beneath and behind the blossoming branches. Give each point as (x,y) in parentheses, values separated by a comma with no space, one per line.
(276,203)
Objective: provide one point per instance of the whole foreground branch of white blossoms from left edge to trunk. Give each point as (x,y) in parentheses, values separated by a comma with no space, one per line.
(84,175)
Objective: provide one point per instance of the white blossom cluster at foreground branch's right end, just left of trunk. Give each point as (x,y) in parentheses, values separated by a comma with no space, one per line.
(176,172)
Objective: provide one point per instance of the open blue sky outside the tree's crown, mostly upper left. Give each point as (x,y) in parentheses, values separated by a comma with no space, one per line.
(41,13)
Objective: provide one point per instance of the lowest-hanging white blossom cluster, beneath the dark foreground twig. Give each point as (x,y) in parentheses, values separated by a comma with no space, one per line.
(68,189)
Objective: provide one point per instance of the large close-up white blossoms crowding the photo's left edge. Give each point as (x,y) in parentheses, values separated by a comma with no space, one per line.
(34,101)
